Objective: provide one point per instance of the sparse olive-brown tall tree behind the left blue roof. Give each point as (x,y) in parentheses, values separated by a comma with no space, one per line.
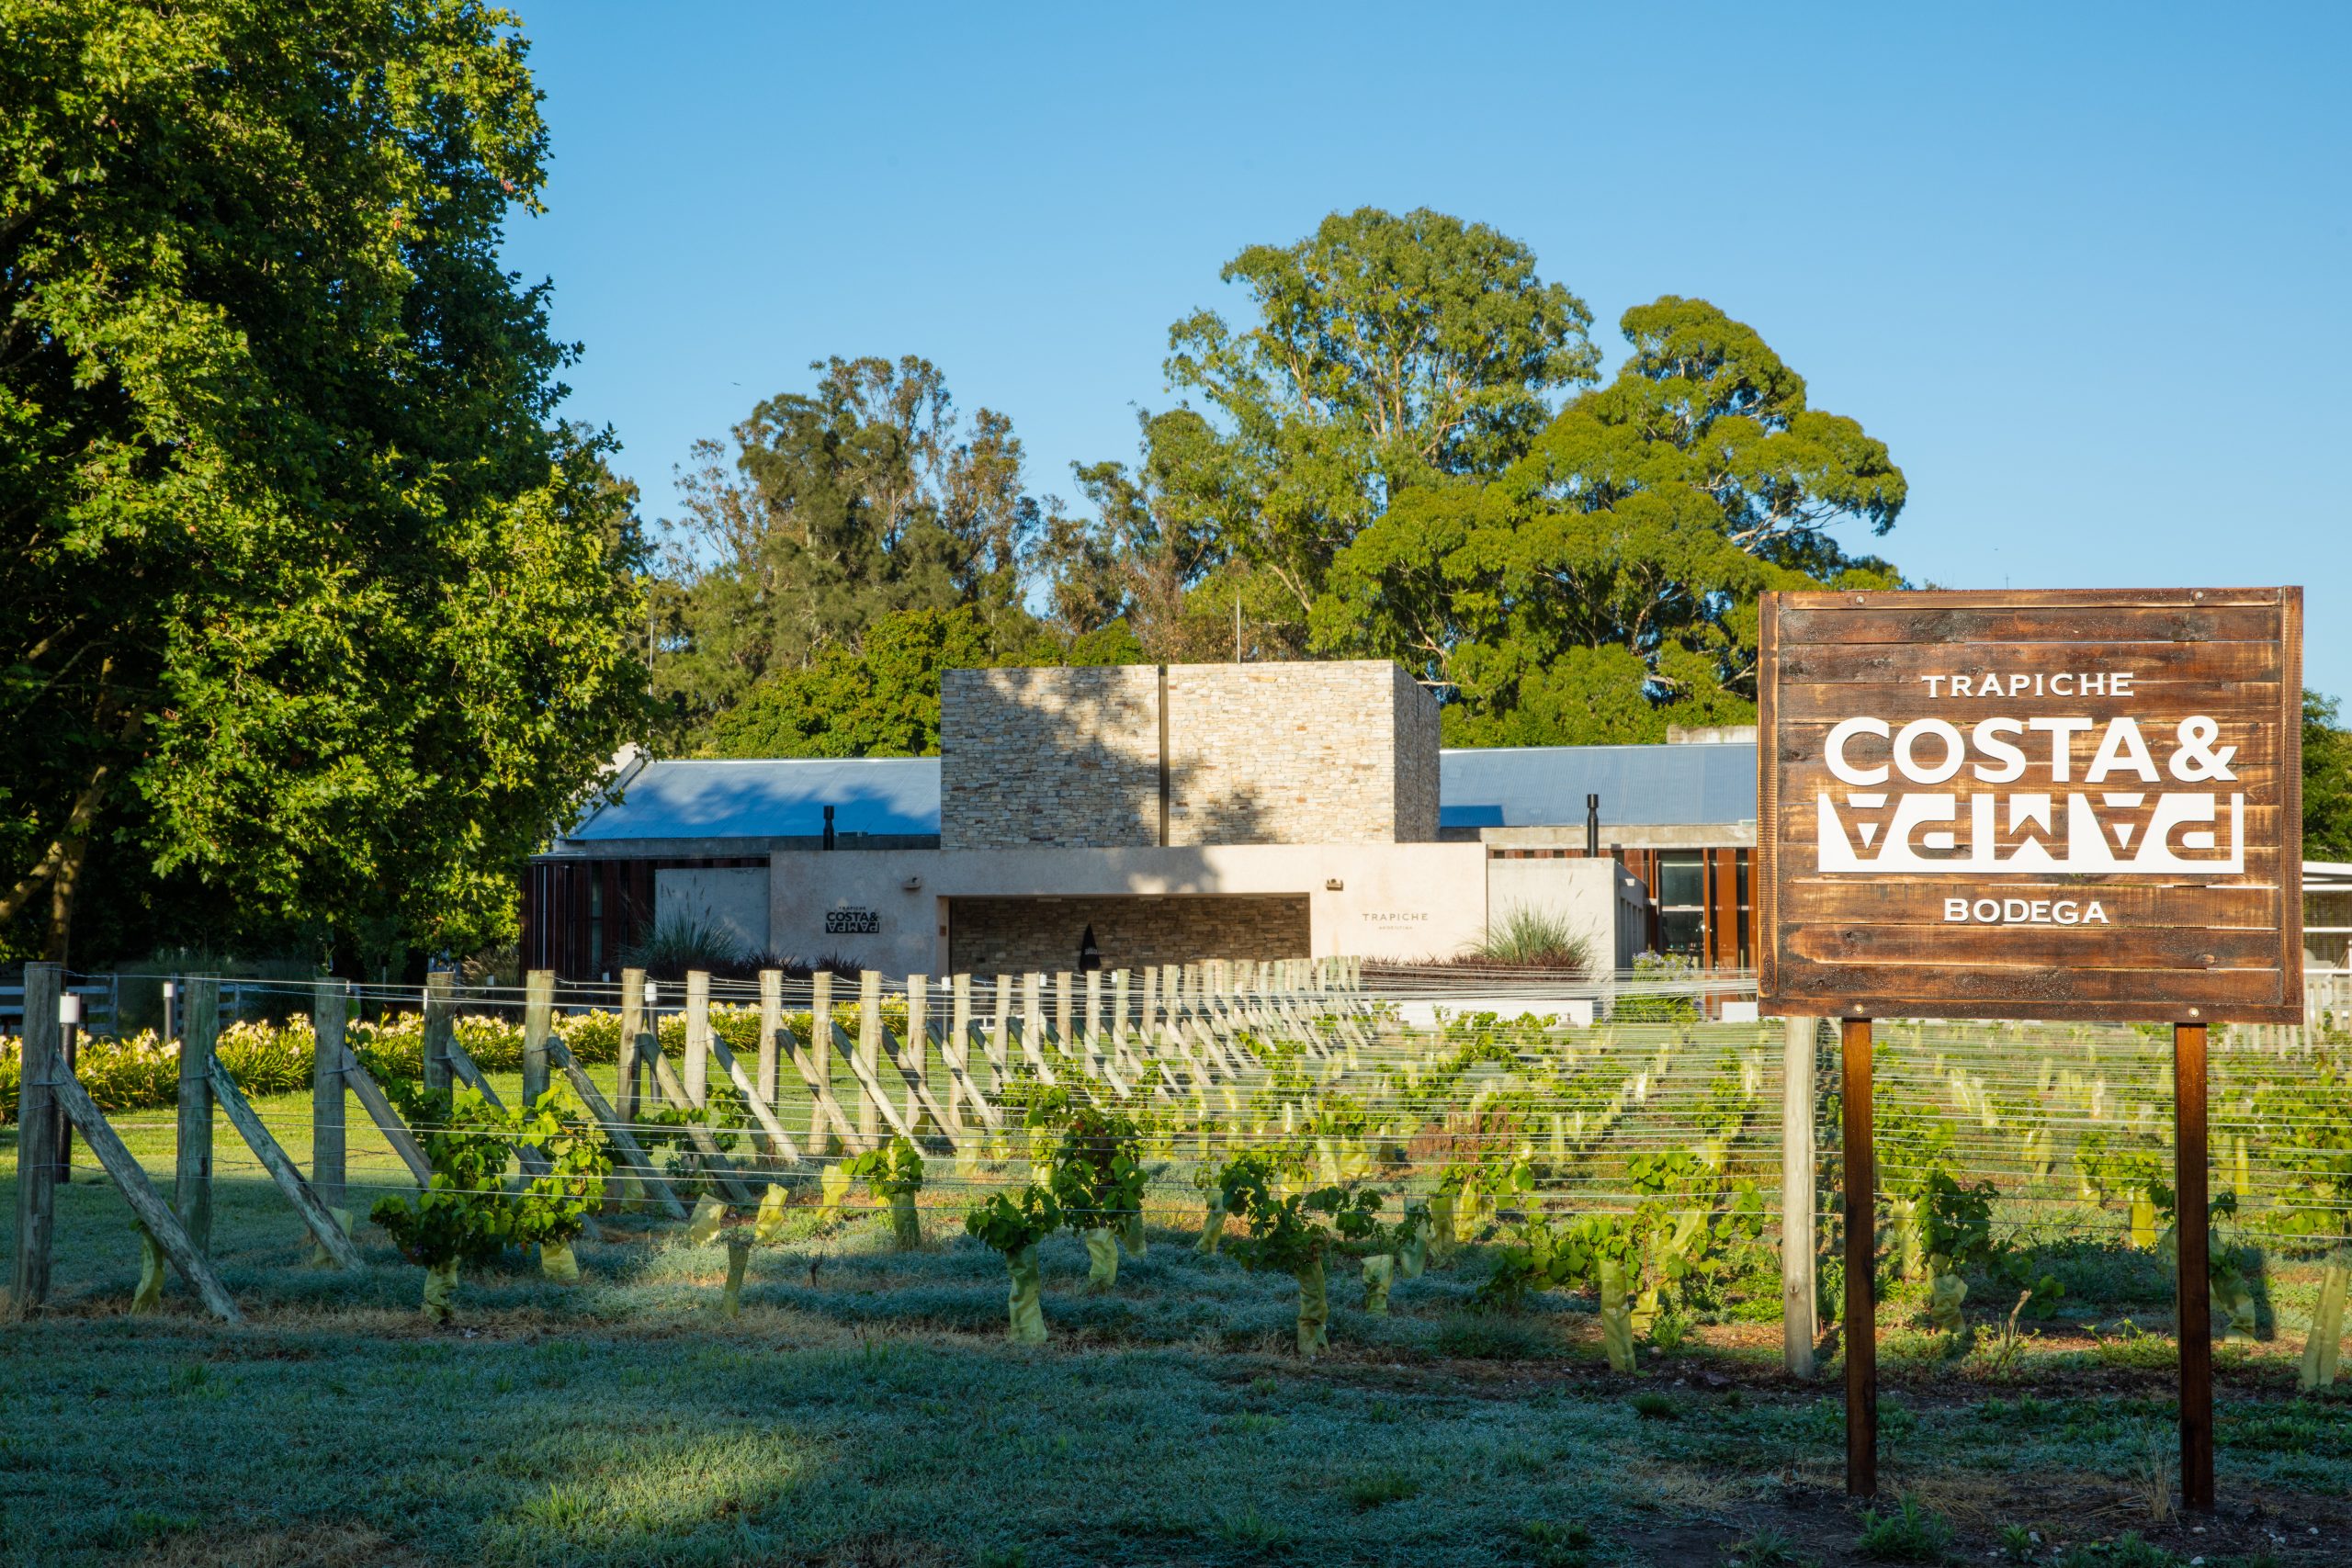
(836,511)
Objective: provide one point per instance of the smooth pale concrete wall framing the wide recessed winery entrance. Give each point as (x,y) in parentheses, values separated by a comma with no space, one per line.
(1398,902)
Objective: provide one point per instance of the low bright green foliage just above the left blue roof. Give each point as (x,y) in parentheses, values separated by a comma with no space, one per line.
(883,699)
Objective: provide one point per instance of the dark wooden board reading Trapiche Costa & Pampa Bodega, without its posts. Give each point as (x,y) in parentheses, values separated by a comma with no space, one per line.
(2033,805)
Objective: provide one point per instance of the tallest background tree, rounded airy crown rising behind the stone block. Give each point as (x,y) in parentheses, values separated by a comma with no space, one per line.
(1391,354)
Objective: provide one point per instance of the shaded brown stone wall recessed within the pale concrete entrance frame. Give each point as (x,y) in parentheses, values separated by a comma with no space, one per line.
(1013,937)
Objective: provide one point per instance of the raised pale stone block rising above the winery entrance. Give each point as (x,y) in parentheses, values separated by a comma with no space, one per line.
(1257,753)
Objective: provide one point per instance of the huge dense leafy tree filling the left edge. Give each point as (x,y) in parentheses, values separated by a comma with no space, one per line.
(314,610)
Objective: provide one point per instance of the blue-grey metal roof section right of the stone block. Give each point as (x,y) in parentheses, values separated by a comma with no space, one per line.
(1641,786)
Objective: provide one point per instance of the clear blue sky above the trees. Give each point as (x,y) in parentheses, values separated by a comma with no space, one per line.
(2085,269)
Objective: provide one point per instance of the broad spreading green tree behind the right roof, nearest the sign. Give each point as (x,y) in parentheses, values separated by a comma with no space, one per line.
(1608,582)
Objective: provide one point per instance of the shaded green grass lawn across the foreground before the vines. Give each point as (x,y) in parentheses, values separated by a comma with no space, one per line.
(864,1409)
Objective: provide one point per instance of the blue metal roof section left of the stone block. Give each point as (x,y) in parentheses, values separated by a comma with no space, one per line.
(770,800)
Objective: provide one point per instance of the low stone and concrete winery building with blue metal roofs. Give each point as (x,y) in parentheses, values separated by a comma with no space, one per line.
(1170,812)
